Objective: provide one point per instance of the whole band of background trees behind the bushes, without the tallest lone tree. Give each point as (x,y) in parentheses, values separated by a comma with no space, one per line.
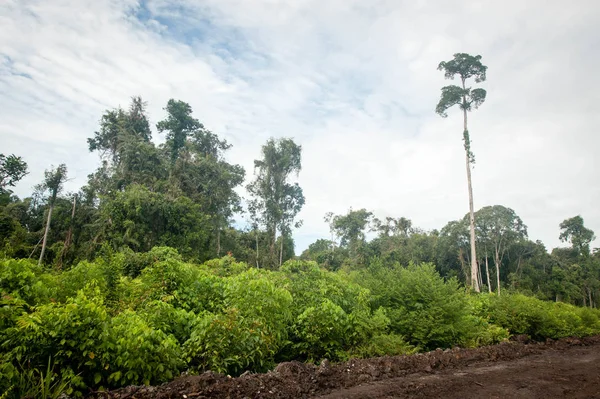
(184,194)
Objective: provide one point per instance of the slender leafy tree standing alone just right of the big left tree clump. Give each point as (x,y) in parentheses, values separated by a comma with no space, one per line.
(276,202)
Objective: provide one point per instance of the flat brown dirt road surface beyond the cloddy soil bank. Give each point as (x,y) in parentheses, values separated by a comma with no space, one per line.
(573,372)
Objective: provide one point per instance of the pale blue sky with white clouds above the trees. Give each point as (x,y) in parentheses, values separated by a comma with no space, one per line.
(354,82)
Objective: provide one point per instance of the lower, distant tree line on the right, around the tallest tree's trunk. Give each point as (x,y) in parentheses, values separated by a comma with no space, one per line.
(506,258)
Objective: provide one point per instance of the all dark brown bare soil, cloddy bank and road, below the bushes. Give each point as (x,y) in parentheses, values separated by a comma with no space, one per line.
(566,368)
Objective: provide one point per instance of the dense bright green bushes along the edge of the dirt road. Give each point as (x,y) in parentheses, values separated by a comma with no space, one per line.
(144,318)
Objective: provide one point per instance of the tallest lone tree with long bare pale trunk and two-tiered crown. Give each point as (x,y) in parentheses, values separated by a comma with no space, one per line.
(465,66)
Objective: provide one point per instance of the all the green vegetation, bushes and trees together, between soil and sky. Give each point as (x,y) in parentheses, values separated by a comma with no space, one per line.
(142,273)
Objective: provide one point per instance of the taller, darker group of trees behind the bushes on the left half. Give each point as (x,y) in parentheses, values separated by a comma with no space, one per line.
(180,194)
